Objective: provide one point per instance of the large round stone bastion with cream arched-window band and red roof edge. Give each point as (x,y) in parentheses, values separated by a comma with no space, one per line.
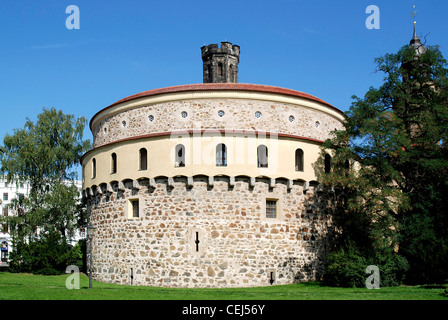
(208,185)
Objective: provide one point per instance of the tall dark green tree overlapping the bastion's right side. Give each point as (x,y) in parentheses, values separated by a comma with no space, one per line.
(390,167)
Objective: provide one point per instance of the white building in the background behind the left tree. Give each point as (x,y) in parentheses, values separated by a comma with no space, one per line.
(8,192)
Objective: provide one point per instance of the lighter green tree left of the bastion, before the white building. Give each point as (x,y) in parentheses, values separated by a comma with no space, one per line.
(44,155)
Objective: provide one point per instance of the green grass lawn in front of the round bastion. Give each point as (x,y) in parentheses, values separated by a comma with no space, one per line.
(34,287)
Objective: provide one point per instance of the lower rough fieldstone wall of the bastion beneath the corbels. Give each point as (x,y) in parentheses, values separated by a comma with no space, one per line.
(238,246)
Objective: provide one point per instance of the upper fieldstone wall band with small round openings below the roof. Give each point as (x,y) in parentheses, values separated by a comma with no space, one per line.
(222,114)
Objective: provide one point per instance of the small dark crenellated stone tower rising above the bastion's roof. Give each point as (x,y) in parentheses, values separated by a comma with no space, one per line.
(220,65)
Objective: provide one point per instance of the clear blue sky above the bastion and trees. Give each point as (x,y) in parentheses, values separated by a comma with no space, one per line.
(125,47)
